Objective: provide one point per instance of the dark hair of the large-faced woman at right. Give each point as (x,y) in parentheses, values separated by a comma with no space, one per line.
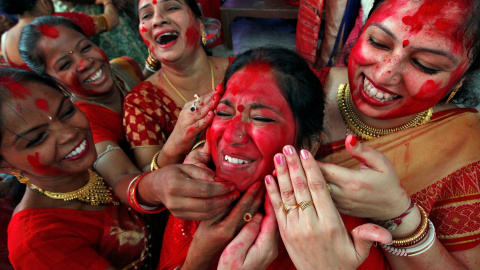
(467,95)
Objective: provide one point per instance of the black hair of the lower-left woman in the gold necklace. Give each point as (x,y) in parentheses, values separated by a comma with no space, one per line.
(8,76)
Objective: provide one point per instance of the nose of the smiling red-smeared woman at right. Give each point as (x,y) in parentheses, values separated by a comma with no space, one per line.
(389,70)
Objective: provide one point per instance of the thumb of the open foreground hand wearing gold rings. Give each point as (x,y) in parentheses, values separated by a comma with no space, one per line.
(364,236)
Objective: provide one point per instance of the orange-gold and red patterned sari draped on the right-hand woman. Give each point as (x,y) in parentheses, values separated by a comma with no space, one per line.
(439,166)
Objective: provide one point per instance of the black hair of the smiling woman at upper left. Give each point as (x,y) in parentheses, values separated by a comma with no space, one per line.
(27,45)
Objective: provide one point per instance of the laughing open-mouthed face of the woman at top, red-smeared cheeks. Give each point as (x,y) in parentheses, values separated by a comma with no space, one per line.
(169,28)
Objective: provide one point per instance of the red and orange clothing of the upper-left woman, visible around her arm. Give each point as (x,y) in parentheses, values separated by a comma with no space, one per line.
(106,124)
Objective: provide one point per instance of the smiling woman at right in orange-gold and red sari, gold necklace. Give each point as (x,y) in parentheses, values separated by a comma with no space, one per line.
(393,122)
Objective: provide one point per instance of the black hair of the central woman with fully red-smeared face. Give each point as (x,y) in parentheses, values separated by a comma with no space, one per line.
(299,85)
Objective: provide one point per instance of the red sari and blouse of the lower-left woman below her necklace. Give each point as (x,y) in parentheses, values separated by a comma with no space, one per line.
(75,239)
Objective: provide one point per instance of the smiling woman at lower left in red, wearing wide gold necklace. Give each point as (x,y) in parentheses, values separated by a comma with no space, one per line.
(62,219)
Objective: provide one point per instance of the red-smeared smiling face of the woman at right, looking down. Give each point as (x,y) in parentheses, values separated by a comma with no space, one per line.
(408,57)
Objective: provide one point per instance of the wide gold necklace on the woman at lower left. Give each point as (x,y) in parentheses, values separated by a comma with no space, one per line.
(94,192)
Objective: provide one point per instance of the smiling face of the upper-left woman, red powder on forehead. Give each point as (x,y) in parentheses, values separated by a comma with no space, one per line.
(76,61)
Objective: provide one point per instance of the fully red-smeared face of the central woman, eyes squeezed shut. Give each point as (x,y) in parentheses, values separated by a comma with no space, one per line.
(253,123)
